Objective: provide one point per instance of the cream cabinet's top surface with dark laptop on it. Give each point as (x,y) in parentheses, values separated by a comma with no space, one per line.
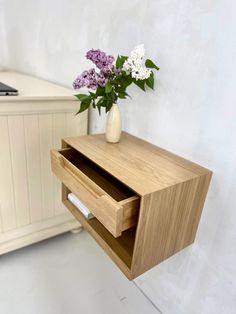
(31,88)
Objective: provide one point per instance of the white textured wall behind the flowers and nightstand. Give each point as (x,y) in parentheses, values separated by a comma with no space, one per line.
(192,112)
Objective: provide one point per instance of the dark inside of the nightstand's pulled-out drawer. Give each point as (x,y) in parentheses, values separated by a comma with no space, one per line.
(117,190)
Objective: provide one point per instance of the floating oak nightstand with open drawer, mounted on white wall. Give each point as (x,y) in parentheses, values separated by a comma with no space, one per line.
(147,202)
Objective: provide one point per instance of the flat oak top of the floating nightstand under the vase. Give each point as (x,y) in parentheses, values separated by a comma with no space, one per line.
(143,167)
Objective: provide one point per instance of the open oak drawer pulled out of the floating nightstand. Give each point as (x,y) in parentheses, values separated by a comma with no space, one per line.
(111,202)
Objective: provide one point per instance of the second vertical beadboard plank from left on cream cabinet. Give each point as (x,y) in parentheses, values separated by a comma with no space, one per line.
(18,155)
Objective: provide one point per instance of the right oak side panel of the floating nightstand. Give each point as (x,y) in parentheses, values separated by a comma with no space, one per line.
(168,222)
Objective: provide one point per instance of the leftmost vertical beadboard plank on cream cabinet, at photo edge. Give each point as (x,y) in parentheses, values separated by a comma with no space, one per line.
(7,203)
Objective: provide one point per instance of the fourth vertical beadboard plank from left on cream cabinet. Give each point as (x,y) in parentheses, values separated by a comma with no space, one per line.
(46,143)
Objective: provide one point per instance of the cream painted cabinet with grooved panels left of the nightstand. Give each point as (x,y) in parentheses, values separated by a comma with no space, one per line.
(30,125)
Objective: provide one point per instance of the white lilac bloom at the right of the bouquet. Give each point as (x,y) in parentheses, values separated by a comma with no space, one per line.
(133,65)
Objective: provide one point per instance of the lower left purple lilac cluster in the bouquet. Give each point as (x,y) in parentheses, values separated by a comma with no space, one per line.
(90,79)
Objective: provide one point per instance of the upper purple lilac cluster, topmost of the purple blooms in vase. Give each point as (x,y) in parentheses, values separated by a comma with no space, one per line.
(101,60)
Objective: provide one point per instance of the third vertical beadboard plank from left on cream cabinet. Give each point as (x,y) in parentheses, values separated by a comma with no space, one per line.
(31,126)
